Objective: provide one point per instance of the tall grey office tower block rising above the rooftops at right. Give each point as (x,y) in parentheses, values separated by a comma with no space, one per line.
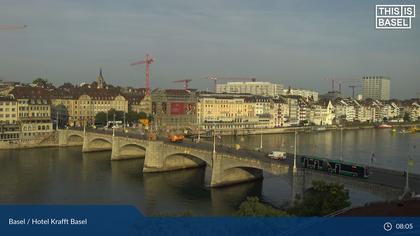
(376,87)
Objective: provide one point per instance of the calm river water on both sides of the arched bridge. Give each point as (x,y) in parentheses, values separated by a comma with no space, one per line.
(67,176)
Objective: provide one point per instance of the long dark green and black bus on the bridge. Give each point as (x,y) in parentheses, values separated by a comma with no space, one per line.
(335,166)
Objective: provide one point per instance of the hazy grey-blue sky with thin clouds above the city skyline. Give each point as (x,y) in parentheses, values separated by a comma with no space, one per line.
(298,43)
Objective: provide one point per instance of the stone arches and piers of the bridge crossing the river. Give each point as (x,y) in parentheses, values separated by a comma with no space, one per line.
(228,166)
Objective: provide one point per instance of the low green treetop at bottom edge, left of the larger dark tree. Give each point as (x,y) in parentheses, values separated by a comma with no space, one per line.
(253,207)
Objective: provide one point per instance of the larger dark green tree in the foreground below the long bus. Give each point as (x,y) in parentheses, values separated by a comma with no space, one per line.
(321,199)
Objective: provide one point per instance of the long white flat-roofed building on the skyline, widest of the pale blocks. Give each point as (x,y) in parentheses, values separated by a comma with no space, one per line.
(251,87)
